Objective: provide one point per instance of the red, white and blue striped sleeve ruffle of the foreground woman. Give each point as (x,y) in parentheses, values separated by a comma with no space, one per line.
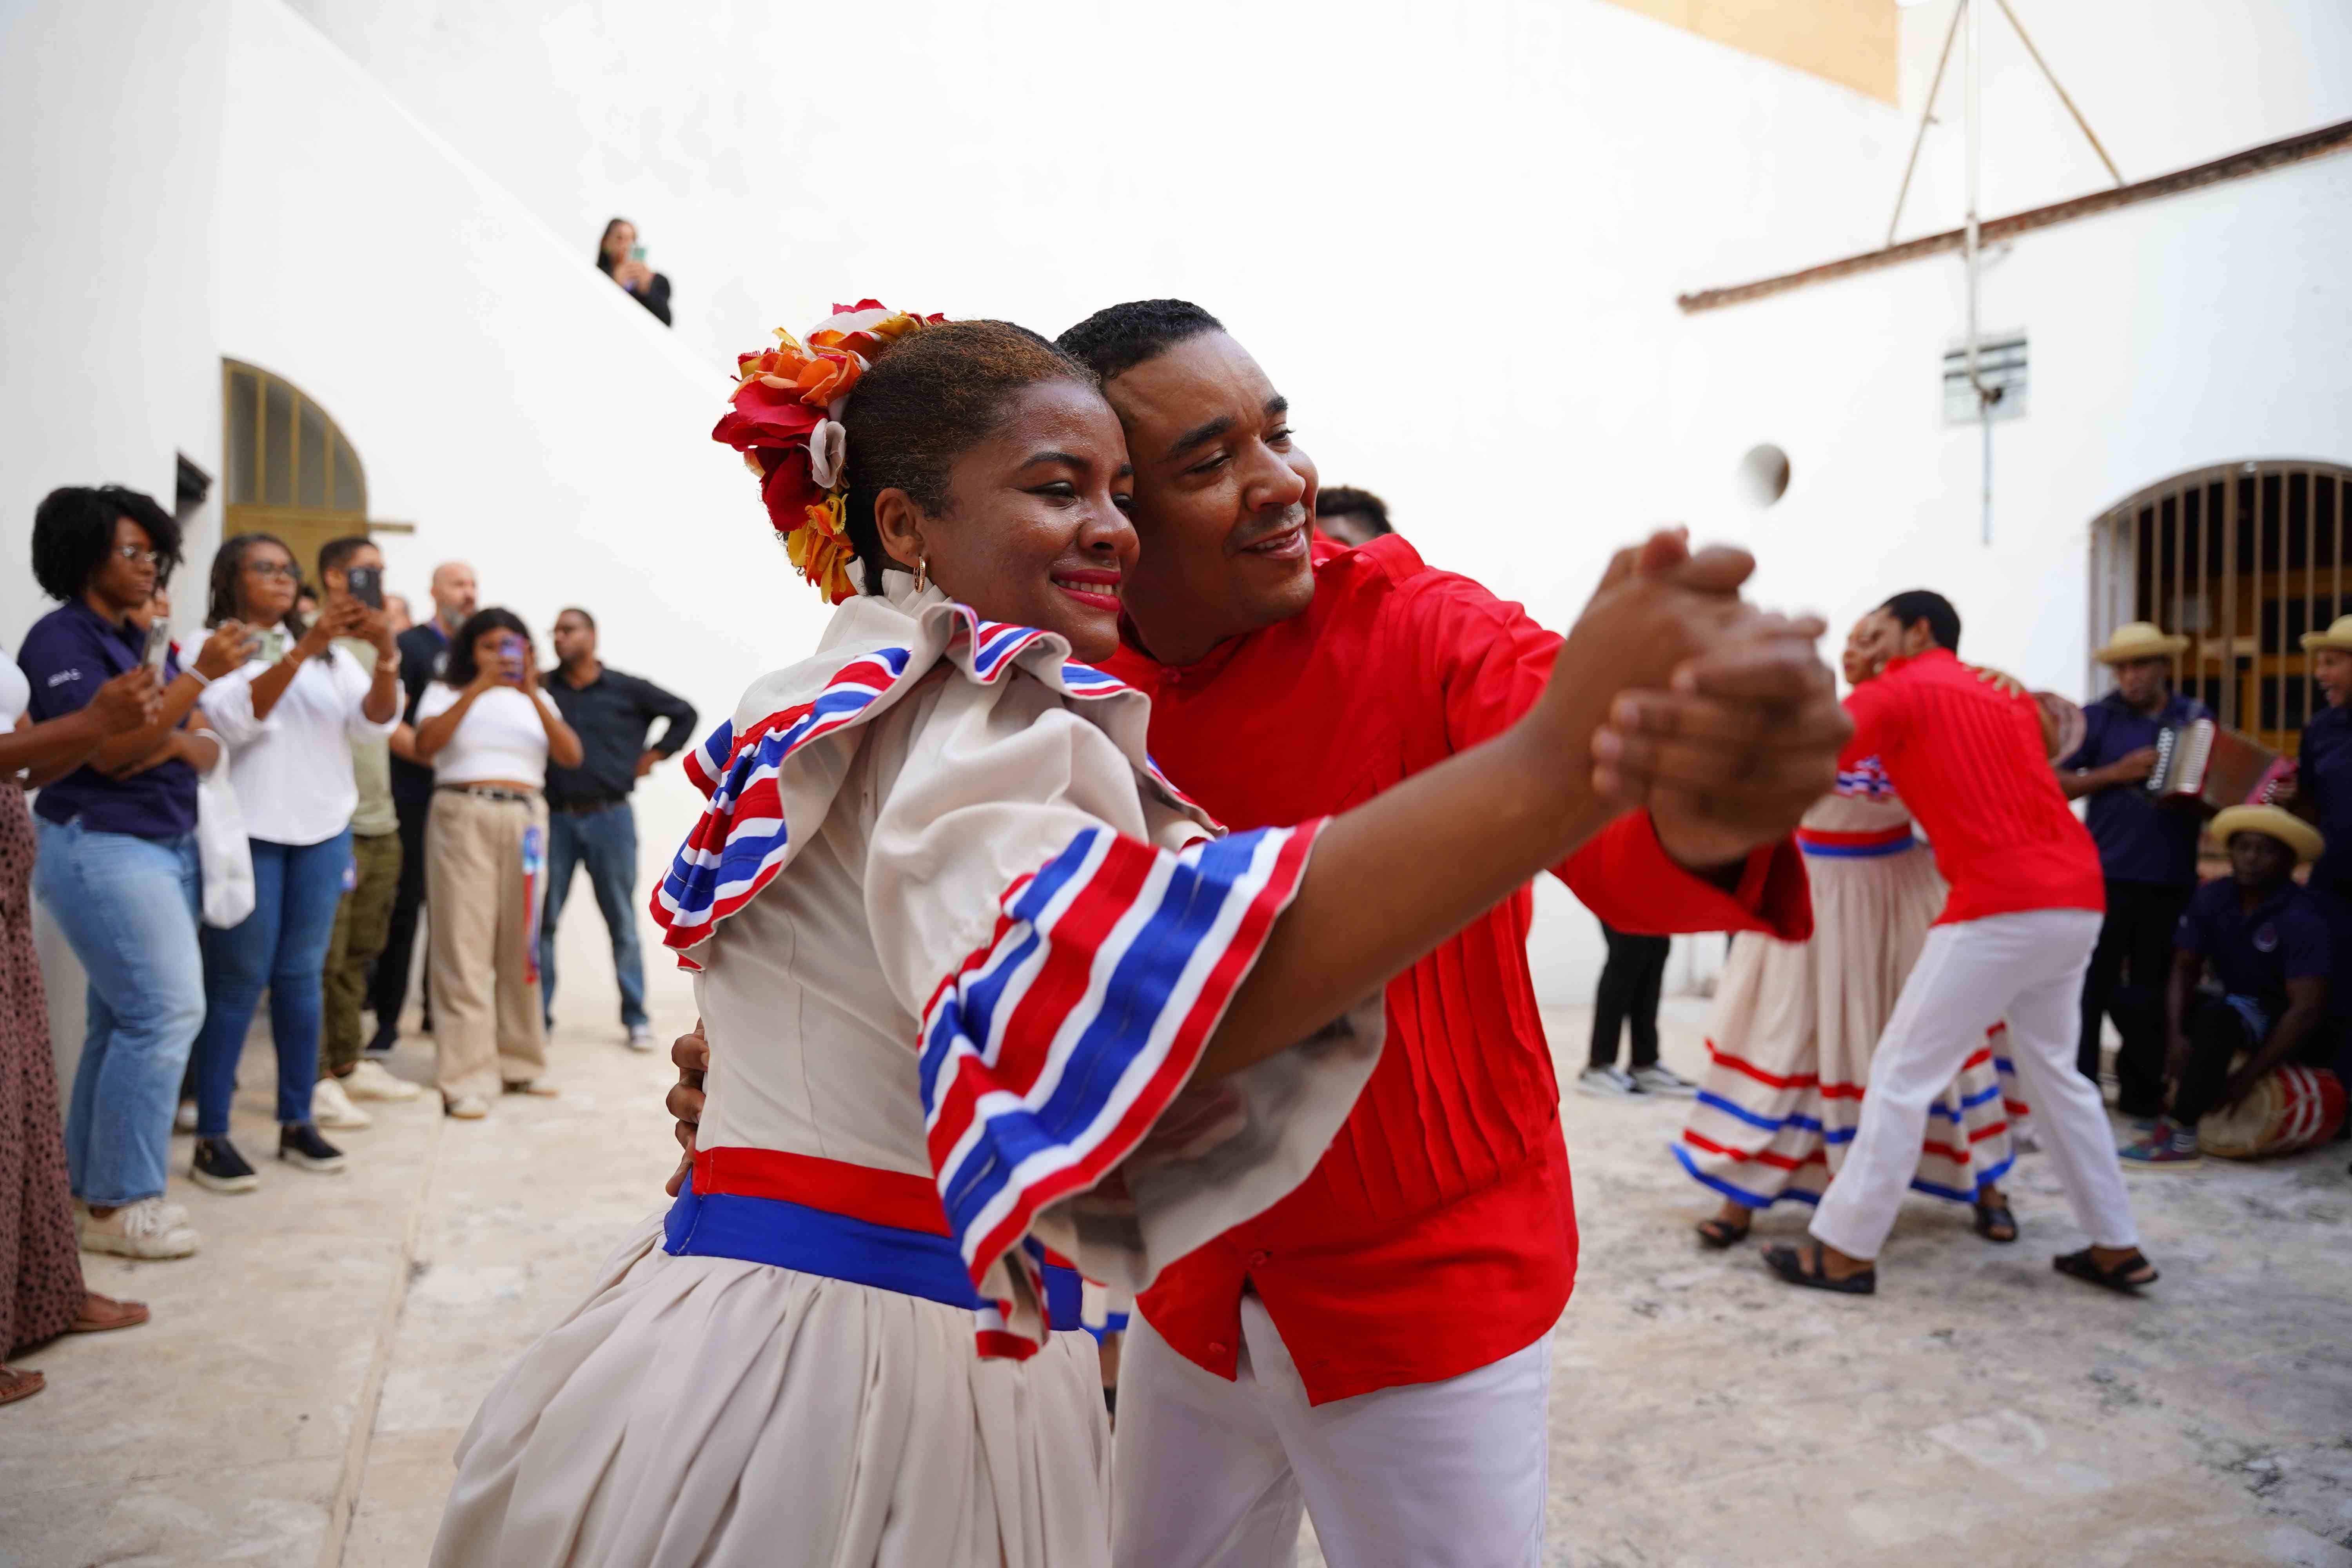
(1057,1045)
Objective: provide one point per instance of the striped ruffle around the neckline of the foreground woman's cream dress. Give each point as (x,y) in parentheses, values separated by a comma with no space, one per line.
(744,836)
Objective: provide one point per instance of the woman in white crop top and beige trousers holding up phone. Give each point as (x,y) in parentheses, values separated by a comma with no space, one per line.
(488,730)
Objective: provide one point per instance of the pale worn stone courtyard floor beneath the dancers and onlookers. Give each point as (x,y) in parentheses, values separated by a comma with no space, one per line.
(300,1391)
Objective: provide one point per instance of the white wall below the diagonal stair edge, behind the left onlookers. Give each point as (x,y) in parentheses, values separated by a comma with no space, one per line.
(505,398)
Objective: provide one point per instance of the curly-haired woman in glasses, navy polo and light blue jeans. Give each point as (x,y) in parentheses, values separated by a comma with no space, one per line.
(116,857)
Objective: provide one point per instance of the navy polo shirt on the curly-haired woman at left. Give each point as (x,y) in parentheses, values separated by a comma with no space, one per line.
(67,657)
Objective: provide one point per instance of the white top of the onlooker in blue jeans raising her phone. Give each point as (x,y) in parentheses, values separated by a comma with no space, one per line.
(293,770)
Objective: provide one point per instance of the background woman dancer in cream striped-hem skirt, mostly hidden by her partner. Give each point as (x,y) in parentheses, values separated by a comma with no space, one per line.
(1796,1026)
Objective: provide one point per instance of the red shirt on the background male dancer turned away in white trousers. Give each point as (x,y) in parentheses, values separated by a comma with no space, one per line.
(1972,768)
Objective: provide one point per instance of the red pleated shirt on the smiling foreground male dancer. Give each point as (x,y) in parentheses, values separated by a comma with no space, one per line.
(1438,1233)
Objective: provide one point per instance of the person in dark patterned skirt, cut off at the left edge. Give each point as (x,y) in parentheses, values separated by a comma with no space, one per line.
(41,1271)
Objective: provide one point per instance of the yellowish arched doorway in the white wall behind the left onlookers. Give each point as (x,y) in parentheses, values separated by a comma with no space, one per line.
(290,469)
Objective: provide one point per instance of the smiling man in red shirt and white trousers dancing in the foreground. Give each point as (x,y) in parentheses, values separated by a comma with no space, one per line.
(1377,1348)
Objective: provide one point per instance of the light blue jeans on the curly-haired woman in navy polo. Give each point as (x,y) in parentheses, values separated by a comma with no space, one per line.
(128,911)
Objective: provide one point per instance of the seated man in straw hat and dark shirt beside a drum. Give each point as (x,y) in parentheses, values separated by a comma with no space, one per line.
(2269,944)
